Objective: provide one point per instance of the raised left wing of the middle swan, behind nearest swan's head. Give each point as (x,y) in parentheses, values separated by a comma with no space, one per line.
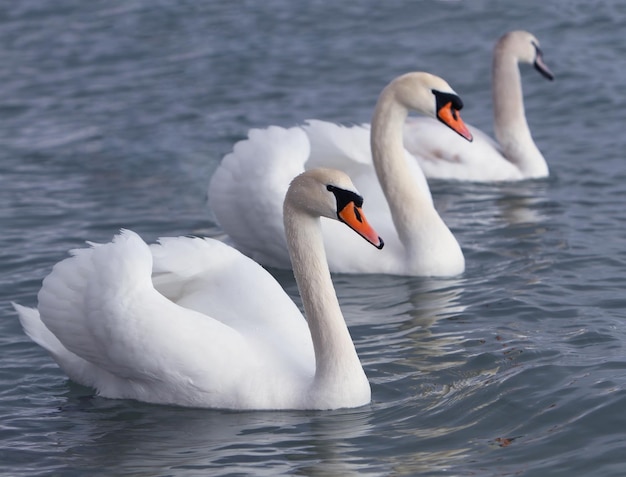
(247,190)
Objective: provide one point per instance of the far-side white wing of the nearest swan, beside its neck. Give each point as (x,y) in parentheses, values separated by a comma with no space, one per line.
(214,279)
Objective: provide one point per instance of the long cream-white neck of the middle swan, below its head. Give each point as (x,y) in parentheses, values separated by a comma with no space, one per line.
(411,210)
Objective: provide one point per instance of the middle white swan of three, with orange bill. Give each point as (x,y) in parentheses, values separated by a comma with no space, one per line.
(418,241)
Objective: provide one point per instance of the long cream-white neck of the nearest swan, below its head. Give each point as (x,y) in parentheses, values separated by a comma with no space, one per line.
(337,363)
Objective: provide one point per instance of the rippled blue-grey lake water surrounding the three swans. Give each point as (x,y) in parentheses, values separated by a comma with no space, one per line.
(115,114)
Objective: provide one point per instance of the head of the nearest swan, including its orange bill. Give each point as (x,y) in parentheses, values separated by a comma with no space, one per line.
(330,193)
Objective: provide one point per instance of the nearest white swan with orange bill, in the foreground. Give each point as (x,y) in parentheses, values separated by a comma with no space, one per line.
(193,322)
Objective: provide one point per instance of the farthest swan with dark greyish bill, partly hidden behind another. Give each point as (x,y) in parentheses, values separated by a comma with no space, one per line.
(515,156)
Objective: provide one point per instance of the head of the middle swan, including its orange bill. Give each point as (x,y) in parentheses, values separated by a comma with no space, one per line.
(432,96)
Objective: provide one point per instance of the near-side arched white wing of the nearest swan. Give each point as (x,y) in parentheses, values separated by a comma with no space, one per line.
(102,306)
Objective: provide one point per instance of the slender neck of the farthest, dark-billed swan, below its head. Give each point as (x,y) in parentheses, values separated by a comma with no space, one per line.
(511,127)
